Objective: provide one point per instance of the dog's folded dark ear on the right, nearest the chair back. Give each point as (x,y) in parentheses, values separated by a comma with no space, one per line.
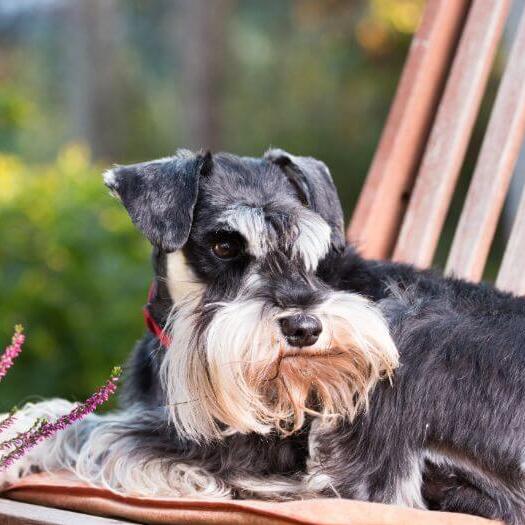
(316,188)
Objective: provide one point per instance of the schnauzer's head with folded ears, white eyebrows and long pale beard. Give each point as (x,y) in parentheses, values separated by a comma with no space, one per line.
(258,339)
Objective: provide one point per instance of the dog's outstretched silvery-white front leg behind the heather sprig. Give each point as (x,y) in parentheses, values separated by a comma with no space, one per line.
(110,451)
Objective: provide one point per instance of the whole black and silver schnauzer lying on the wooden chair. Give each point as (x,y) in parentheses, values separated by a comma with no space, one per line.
(280,364)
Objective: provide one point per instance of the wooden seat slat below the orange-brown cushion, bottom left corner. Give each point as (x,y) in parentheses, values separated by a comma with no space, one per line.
(17,513)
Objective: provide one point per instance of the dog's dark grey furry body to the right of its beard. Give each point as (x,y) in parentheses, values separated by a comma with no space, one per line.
(459,390)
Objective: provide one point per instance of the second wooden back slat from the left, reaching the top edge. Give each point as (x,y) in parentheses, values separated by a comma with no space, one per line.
(449,137)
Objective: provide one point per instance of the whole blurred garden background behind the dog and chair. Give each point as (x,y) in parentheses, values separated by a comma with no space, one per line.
(88,83)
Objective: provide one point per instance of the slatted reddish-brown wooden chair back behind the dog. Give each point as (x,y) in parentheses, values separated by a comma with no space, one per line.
(406,196)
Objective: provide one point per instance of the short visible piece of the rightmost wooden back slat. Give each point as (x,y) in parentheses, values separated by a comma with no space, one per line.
(511,276)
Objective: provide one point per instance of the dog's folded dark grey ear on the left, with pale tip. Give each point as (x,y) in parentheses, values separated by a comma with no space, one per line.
(160,195)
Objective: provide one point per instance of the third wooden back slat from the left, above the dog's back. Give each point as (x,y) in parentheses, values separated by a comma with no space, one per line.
(496,162)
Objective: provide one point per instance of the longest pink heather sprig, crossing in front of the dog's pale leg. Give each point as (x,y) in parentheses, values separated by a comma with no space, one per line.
(43,429)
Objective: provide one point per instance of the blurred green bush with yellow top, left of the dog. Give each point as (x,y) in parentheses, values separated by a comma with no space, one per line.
(74,272)
